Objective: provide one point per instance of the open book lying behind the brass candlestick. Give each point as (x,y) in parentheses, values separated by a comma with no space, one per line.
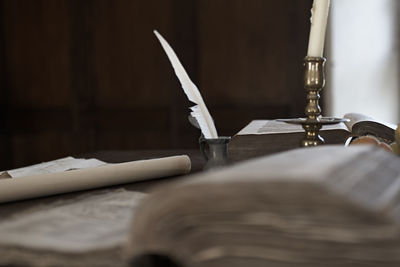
(262,137)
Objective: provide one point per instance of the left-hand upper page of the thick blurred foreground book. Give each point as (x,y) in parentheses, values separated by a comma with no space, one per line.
(302,164)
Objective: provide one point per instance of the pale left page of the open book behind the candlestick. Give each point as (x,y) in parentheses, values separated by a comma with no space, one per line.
(258,127)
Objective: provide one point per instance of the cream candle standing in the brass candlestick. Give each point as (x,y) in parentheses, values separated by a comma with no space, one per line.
(319,20)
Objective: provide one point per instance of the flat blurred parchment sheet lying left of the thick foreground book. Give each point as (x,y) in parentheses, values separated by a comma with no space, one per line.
(89,222)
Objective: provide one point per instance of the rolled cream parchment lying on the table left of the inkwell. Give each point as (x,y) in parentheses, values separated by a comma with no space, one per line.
(83,179)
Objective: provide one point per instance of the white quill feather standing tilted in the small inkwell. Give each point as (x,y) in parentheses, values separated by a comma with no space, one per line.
(200,111)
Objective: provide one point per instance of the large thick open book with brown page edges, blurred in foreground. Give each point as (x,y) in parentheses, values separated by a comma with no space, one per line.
(323,206)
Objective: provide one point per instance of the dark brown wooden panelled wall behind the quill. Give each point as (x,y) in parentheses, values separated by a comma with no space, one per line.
(85,75)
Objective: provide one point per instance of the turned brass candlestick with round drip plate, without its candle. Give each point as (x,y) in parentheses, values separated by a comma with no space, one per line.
(314,82)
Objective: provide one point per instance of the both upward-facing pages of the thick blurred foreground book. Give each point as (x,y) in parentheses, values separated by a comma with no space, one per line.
(367,175)
